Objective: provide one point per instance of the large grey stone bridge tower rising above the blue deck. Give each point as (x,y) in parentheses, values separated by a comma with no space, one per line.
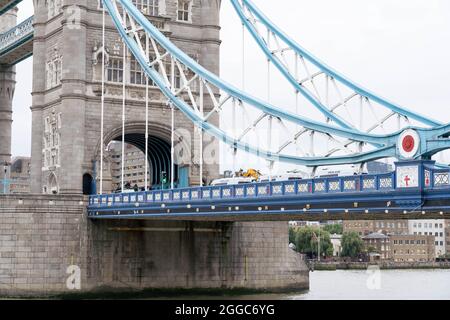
(67,89)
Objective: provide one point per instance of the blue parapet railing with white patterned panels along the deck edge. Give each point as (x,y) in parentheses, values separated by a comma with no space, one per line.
(434,179)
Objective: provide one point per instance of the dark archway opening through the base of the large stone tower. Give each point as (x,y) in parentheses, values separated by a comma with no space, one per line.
(159,162)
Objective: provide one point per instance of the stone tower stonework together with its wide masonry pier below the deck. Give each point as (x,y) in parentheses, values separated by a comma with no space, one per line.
(45,236)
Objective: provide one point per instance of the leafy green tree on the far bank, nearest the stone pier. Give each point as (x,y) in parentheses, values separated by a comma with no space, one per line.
(307,241)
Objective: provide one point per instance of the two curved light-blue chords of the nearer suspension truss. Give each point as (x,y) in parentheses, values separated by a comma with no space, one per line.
(388,143)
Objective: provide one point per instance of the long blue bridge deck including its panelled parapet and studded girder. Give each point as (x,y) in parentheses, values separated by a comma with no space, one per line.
(354,197)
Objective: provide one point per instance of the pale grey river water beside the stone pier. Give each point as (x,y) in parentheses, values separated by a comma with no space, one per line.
(365,285)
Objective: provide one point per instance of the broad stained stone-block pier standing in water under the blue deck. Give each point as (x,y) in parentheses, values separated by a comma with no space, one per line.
(42,235)
